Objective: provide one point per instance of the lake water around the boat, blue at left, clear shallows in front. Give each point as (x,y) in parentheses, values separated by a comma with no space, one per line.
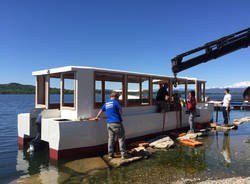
(221,155)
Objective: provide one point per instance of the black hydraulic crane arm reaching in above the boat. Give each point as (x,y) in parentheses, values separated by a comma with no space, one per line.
(212,50)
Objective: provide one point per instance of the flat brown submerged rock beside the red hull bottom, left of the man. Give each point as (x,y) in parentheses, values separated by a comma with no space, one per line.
(87,165)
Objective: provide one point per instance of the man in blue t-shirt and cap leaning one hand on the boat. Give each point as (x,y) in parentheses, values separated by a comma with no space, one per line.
(114,125)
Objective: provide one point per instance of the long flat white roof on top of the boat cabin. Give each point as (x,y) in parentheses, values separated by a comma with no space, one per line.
(77,68)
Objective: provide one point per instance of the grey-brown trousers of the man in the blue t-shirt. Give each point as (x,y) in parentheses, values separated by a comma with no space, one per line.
(116,130)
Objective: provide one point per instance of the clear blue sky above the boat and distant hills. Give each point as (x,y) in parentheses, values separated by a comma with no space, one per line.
(133,35)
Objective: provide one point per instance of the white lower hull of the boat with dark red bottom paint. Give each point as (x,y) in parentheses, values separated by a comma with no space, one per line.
(67,138)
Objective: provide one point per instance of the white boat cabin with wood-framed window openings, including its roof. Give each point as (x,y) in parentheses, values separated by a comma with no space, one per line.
(78,92)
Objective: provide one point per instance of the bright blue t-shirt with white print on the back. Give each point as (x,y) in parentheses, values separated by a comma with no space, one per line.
(112,108)
